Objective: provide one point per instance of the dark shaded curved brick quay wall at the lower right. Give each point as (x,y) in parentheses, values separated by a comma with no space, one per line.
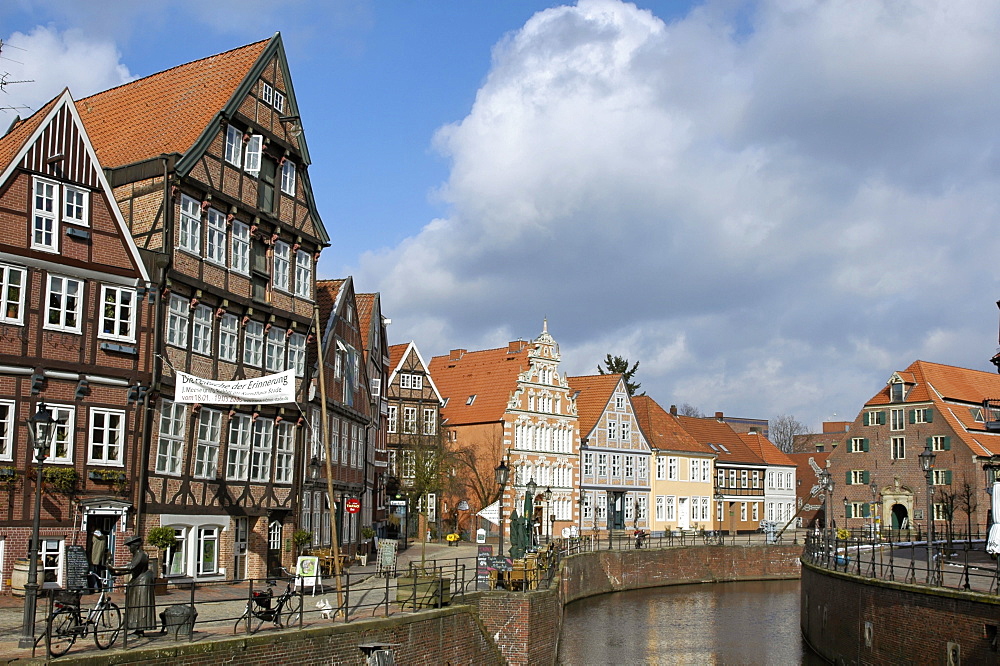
(849,619)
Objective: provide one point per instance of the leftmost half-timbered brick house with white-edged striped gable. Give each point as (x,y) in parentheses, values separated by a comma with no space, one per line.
(74,316)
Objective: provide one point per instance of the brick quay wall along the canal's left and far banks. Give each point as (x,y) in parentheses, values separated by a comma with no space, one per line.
(491,628)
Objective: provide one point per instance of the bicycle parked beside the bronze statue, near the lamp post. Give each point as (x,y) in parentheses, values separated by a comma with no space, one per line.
(66,623)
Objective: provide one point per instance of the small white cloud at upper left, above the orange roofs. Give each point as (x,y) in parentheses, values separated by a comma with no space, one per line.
(50,60)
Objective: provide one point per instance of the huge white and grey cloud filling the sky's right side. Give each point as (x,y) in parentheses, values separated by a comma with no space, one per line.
(771,206)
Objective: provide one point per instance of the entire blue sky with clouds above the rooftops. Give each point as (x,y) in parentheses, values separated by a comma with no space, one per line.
(771,205)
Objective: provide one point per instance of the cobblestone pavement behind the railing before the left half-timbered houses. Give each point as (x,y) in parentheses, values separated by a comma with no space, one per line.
(219,606)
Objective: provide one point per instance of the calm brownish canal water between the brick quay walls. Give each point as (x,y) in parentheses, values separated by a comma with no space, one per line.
(723,623)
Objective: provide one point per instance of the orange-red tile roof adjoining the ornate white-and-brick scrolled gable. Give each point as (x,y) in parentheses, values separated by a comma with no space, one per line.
(490,375)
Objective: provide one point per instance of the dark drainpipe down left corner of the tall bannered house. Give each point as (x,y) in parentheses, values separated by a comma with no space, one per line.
(163,263)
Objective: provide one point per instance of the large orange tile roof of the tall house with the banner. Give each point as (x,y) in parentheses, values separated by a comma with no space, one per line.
(165,112)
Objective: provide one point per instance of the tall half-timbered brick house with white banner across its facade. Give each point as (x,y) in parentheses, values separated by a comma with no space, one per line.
(209,165)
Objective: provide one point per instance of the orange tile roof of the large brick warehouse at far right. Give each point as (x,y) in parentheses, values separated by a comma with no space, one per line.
(956,393)
